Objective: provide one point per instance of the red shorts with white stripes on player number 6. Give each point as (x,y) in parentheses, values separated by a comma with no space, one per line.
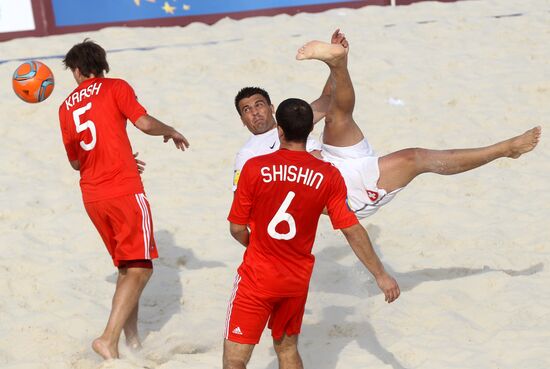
(249,311)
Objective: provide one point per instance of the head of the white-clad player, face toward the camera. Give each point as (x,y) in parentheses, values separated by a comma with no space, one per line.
(255,109)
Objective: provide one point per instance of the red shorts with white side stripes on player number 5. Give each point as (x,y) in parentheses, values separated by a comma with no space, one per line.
(125,225)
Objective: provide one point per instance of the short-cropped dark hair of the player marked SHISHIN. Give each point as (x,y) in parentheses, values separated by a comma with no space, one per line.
(295,117)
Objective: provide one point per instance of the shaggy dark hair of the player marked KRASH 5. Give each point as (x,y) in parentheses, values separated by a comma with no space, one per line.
(88,57)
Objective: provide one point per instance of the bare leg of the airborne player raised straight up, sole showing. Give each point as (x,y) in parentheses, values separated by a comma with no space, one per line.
(340,128)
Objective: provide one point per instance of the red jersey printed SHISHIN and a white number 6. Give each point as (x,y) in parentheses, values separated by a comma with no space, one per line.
(281,197)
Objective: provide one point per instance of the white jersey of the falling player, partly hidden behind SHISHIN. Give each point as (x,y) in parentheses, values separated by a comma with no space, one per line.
(263,144)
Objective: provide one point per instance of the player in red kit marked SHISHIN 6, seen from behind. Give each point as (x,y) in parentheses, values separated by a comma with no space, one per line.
(274,214)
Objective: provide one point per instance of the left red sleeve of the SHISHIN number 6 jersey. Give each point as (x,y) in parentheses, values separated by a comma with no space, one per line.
(242,199)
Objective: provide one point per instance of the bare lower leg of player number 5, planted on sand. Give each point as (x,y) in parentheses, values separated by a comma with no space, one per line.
(130,284)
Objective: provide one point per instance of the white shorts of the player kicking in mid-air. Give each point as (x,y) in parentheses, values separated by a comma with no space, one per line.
(359,168)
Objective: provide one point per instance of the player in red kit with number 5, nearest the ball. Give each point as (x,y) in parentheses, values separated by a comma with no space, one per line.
(93,125)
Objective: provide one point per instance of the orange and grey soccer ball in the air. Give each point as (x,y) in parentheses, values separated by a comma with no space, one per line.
(33,81)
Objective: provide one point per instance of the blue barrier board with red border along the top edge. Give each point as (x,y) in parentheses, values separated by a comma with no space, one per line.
(65,16)
